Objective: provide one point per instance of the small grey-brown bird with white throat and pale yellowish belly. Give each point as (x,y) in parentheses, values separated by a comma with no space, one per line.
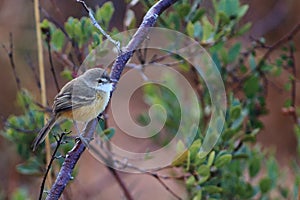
(82,99)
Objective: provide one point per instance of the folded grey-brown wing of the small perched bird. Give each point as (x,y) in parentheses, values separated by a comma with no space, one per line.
(74,94)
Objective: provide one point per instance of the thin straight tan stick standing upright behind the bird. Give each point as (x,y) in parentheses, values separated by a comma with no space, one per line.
(42,77)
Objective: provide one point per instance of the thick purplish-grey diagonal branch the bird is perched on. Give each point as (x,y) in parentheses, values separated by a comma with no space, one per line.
(73,155)
